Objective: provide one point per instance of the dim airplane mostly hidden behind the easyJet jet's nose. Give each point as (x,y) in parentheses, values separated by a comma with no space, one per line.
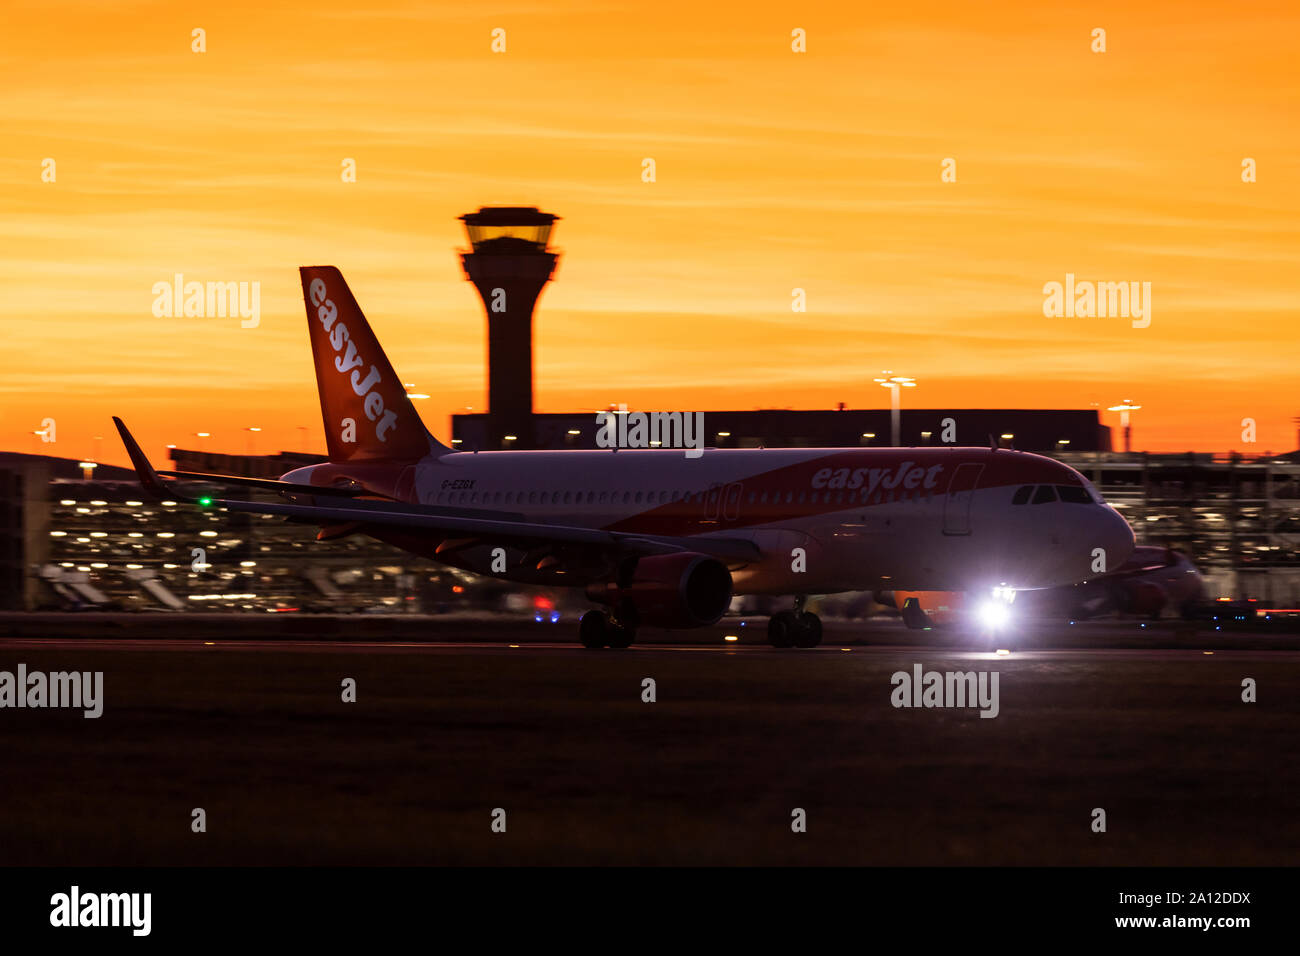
(1150,582)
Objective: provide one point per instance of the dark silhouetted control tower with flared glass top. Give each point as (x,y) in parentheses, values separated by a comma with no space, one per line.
(510,263)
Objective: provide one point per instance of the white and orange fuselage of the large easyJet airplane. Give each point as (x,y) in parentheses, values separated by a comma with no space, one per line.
(824,520)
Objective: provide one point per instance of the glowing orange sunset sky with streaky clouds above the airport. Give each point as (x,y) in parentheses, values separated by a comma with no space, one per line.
(775,171)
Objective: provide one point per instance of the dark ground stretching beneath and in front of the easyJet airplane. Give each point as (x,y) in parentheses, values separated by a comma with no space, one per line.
(714,771)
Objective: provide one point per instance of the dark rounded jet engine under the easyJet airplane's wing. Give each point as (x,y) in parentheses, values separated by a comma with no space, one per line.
(681,591)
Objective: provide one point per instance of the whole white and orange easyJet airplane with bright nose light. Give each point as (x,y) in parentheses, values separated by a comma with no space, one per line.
(655,537)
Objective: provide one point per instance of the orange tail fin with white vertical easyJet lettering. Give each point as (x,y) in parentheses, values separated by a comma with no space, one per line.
(367,413)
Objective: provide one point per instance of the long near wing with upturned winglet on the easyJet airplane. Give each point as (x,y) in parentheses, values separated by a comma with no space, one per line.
(410,517)
